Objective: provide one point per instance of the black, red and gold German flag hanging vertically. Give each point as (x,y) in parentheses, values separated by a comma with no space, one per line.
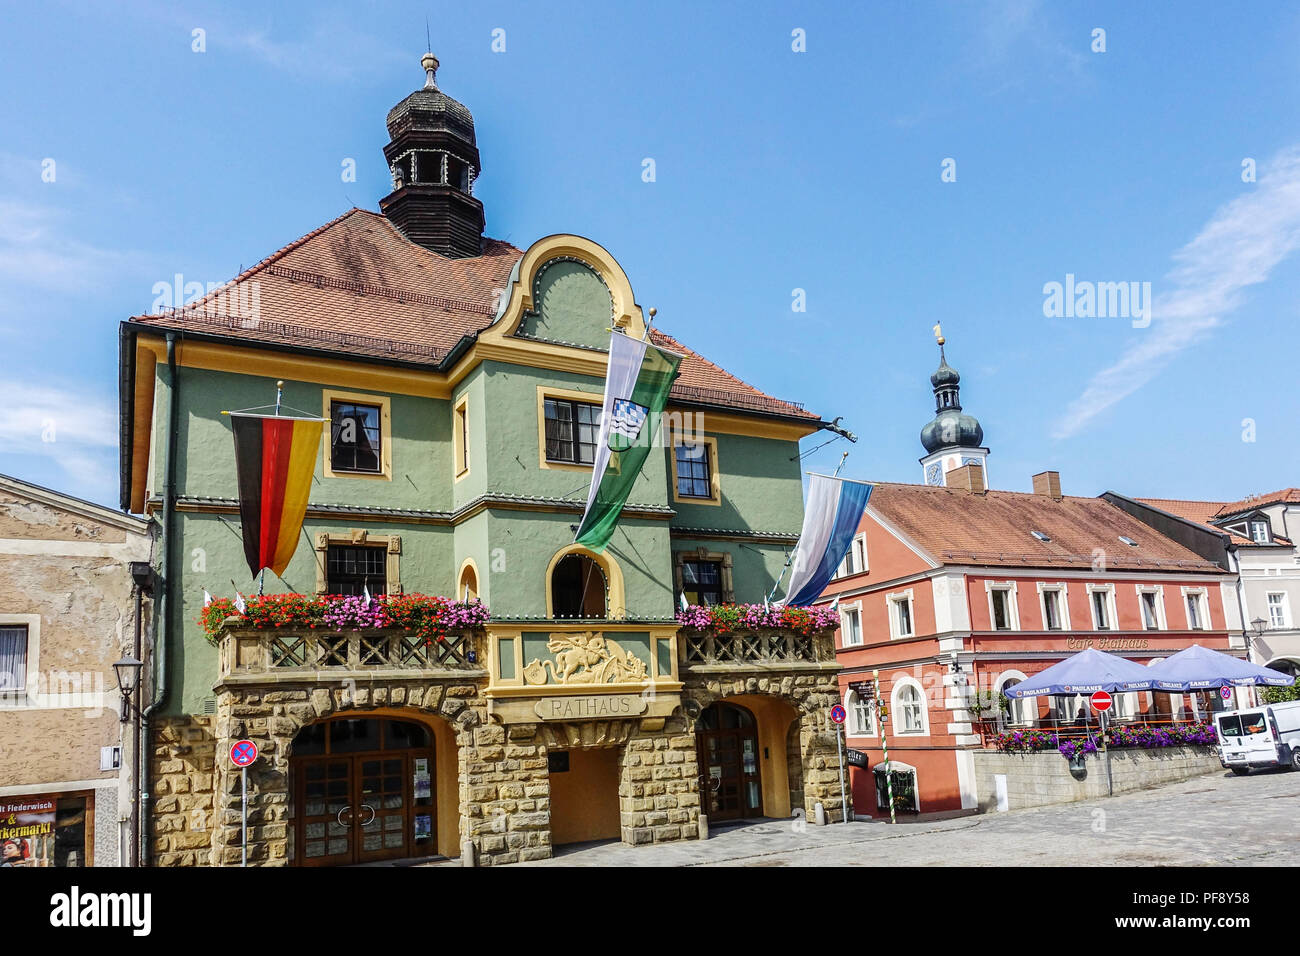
(275,460)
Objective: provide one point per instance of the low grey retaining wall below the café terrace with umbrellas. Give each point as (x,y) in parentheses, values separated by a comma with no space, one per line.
(1038,780)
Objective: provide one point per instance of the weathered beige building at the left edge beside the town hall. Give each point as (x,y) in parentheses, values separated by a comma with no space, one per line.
(68,612)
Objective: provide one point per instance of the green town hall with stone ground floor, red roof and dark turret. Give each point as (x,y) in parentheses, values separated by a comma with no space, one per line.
(462,383)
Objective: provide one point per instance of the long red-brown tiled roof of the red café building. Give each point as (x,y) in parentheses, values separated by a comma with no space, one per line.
(960,527)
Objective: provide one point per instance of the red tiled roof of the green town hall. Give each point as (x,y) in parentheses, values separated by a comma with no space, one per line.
(361,288)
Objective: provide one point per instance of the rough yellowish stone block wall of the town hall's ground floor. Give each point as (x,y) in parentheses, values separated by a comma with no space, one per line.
(504,795)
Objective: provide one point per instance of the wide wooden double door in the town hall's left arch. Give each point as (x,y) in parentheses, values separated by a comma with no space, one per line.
(363,791)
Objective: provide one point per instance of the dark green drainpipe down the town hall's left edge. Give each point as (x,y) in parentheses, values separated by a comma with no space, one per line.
(162,607)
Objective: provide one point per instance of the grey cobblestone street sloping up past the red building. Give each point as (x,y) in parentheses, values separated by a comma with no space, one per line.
(1208,821)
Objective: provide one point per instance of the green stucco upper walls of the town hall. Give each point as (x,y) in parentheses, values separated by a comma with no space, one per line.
(508,514)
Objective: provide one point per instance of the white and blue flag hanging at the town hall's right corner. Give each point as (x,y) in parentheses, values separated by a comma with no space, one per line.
(831,518)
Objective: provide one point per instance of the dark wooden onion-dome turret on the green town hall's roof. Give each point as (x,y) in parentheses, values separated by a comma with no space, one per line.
(435,163)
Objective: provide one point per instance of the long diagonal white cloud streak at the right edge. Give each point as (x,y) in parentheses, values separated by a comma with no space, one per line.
(1240,248)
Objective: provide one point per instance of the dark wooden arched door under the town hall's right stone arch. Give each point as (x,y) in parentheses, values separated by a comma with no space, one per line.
(730,780)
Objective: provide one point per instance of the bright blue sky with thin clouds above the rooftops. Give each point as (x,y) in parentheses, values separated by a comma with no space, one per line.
(774,171)
